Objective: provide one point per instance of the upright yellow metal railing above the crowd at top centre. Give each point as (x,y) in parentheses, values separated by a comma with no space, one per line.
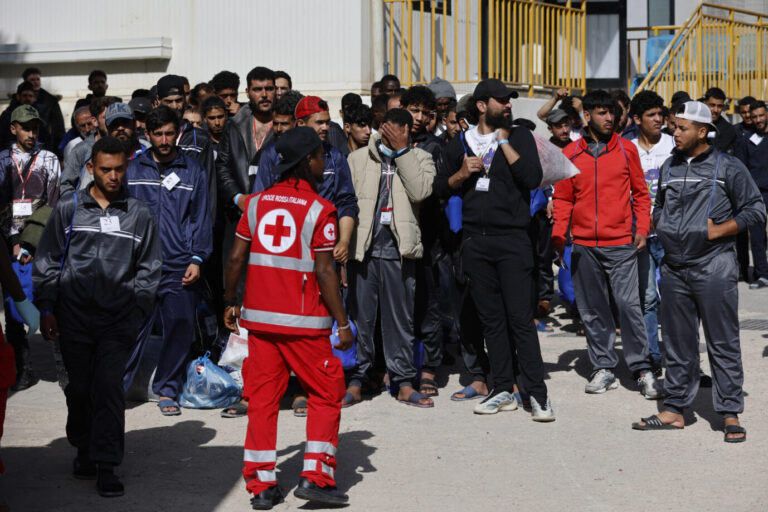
(526,43)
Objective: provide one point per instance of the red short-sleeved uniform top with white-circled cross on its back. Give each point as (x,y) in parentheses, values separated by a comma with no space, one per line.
(286,224)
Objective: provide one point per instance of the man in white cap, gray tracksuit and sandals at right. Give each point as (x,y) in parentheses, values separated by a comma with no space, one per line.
(699,189)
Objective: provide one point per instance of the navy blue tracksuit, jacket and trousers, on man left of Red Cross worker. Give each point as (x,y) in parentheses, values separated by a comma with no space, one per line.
(184,222)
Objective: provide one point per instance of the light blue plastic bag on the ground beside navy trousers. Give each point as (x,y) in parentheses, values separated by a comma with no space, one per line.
(208,386)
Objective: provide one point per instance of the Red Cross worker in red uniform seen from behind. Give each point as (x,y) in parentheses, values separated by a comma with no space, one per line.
(287,234)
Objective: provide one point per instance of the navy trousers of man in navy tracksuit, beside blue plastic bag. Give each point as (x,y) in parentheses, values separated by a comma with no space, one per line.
(175,310)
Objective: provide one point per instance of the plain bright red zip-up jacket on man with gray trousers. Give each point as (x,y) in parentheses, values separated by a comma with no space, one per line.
(597,202)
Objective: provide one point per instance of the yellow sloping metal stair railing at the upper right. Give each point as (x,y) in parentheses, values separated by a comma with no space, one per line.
(718,46)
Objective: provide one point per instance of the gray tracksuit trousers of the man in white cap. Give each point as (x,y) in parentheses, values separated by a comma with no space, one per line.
(708,291)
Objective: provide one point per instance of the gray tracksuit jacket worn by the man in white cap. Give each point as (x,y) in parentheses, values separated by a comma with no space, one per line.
(713,185)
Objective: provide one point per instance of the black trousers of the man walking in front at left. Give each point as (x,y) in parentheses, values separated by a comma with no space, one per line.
(95,397)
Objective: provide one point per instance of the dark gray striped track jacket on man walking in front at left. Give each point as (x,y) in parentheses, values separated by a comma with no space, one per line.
(108,279)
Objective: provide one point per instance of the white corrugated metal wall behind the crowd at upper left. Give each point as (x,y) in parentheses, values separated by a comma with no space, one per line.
(324,45)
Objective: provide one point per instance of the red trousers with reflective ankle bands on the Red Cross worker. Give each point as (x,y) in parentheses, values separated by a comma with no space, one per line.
(271,358)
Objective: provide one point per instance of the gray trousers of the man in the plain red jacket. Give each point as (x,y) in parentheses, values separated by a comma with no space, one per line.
(599,275)
